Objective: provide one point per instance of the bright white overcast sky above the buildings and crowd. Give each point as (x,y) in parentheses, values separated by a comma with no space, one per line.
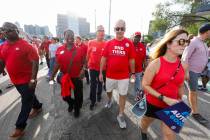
(136,13)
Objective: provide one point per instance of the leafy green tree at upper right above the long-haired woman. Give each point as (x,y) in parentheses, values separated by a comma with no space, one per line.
(166,18)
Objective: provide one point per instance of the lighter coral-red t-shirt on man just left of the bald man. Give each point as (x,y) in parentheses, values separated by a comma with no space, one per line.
(94,54)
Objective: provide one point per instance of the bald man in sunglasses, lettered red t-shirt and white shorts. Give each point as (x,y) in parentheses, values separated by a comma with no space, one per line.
(118,55)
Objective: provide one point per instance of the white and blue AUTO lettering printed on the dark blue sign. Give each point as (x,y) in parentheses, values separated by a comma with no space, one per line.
(177,117)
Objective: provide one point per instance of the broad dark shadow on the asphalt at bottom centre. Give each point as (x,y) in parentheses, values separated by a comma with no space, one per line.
(102,126)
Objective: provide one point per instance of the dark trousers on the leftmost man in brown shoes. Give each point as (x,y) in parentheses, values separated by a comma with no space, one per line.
(29,101)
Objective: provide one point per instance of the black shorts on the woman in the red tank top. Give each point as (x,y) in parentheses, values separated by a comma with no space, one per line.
(151,109)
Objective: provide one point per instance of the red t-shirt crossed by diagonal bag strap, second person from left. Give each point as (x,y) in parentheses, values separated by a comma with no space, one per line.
(63,57)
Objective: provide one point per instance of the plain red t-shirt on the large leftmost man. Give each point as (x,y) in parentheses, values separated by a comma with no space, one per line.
(18,59)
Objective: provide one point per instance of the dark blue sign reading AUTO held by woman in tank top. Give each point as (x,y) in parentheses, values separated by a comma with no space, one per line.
(174,116)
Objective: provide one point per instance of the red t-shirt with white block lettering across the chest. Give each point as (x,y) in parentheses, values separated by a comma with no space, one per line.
(118,54)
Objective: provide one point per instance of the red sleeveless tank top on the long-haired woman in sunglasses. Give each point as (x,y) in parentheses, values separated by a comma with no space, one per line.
(166,71)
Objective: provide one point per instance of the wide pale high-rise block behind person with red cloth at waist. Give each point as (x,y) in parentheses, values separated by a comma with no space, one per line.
(79,25)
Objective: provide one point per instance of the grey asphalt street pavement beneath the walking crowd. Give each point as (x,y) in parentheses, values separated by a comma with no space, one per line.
(56,123)
